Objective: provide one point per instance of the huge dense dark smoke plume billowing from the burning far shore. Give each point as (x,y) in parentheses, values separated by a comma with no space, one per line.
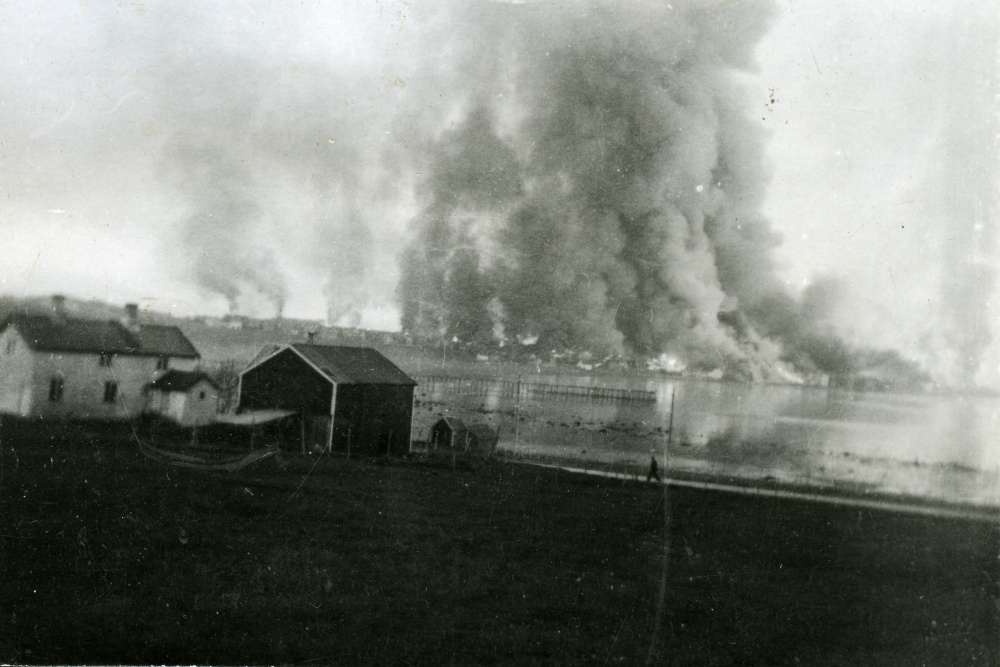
(602,192)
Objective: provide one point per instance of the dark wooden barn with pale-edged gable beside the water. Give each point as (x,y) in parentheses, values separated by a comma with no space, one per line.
(351,399)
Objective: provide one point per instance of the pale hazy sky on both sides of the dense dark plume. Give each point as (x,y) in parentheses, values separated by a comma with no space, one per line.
(176,154)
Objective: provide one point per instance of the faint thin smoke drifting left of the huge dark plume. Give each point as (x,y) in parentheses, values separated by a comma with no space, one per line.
(276,163)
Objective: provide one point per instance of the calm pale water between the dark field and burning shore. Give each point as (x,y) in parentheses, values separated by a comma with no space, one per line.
(943,447)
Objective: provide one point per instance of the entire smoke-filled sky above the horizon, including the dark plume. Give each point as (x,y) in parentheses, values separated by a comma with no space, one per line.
(733,185)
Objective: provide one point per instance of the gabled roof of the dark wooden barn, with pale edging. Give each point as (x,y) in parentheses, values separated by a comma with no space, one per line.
(343,365)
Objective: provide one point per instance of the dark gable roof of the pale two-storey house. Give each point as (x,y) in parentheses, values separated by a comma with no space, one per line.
(46,334)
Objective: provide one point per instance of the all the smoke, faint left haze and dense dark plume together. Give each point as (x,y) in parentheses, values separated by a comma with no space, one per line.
(581,174)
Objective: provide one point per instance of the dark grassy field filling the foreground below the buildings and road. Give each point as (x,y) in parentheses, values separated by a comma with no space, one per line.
(106,556)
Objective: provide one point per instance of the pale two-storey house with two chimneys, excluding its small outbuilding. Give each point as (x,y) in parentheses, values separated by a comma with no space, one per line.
(56,366)
